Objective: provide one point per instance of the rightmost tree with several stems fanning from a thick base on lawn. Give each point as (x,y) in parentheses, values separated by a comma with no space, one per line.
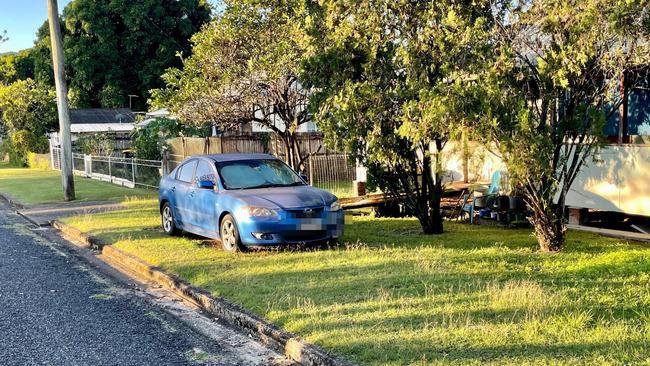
(549,89)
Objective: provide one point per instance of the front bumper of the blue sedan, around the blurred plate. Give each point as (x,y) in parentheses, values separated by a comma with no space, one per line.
(291,230)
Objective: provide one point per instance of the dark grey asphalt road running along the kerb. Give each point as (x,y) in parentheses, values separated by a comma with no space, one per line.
(56,309)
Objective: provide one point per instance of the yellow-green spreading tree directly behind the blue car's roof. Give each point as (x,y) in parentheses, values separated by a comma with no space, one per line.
(244,69)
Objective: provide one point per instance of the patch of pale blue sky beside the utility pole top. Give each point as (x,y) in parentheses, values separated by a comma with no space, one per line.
(21,19)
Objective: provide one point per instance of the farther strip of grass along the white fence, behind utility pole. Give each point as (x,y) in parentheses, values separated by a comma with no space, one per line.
(31,186)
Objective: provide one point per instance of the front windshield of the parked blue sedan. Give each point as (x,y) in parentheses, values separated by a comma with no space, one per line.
(248,174)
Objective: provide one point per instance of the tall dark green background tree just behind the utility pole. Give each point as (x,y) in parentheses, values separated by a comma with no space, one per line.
(116,48)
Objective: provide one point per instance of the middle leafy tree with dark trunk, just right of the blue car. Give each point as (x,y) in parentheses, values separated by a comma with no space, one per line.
(389,77)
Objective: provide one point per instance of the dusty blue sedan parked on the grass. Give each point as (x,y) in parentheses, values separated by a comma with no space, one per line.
(247,200)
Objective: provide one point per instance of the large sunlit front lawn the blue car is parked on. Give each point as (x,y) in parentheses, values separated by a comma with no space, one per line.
(391,296)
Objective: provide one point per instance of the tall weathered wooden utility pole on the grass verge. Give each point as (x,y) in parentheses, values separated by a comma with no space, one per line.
(61,101)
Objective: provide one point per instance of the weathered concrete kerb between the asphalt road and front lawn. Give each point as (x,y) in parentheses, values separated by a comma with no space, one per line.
(293,346)
